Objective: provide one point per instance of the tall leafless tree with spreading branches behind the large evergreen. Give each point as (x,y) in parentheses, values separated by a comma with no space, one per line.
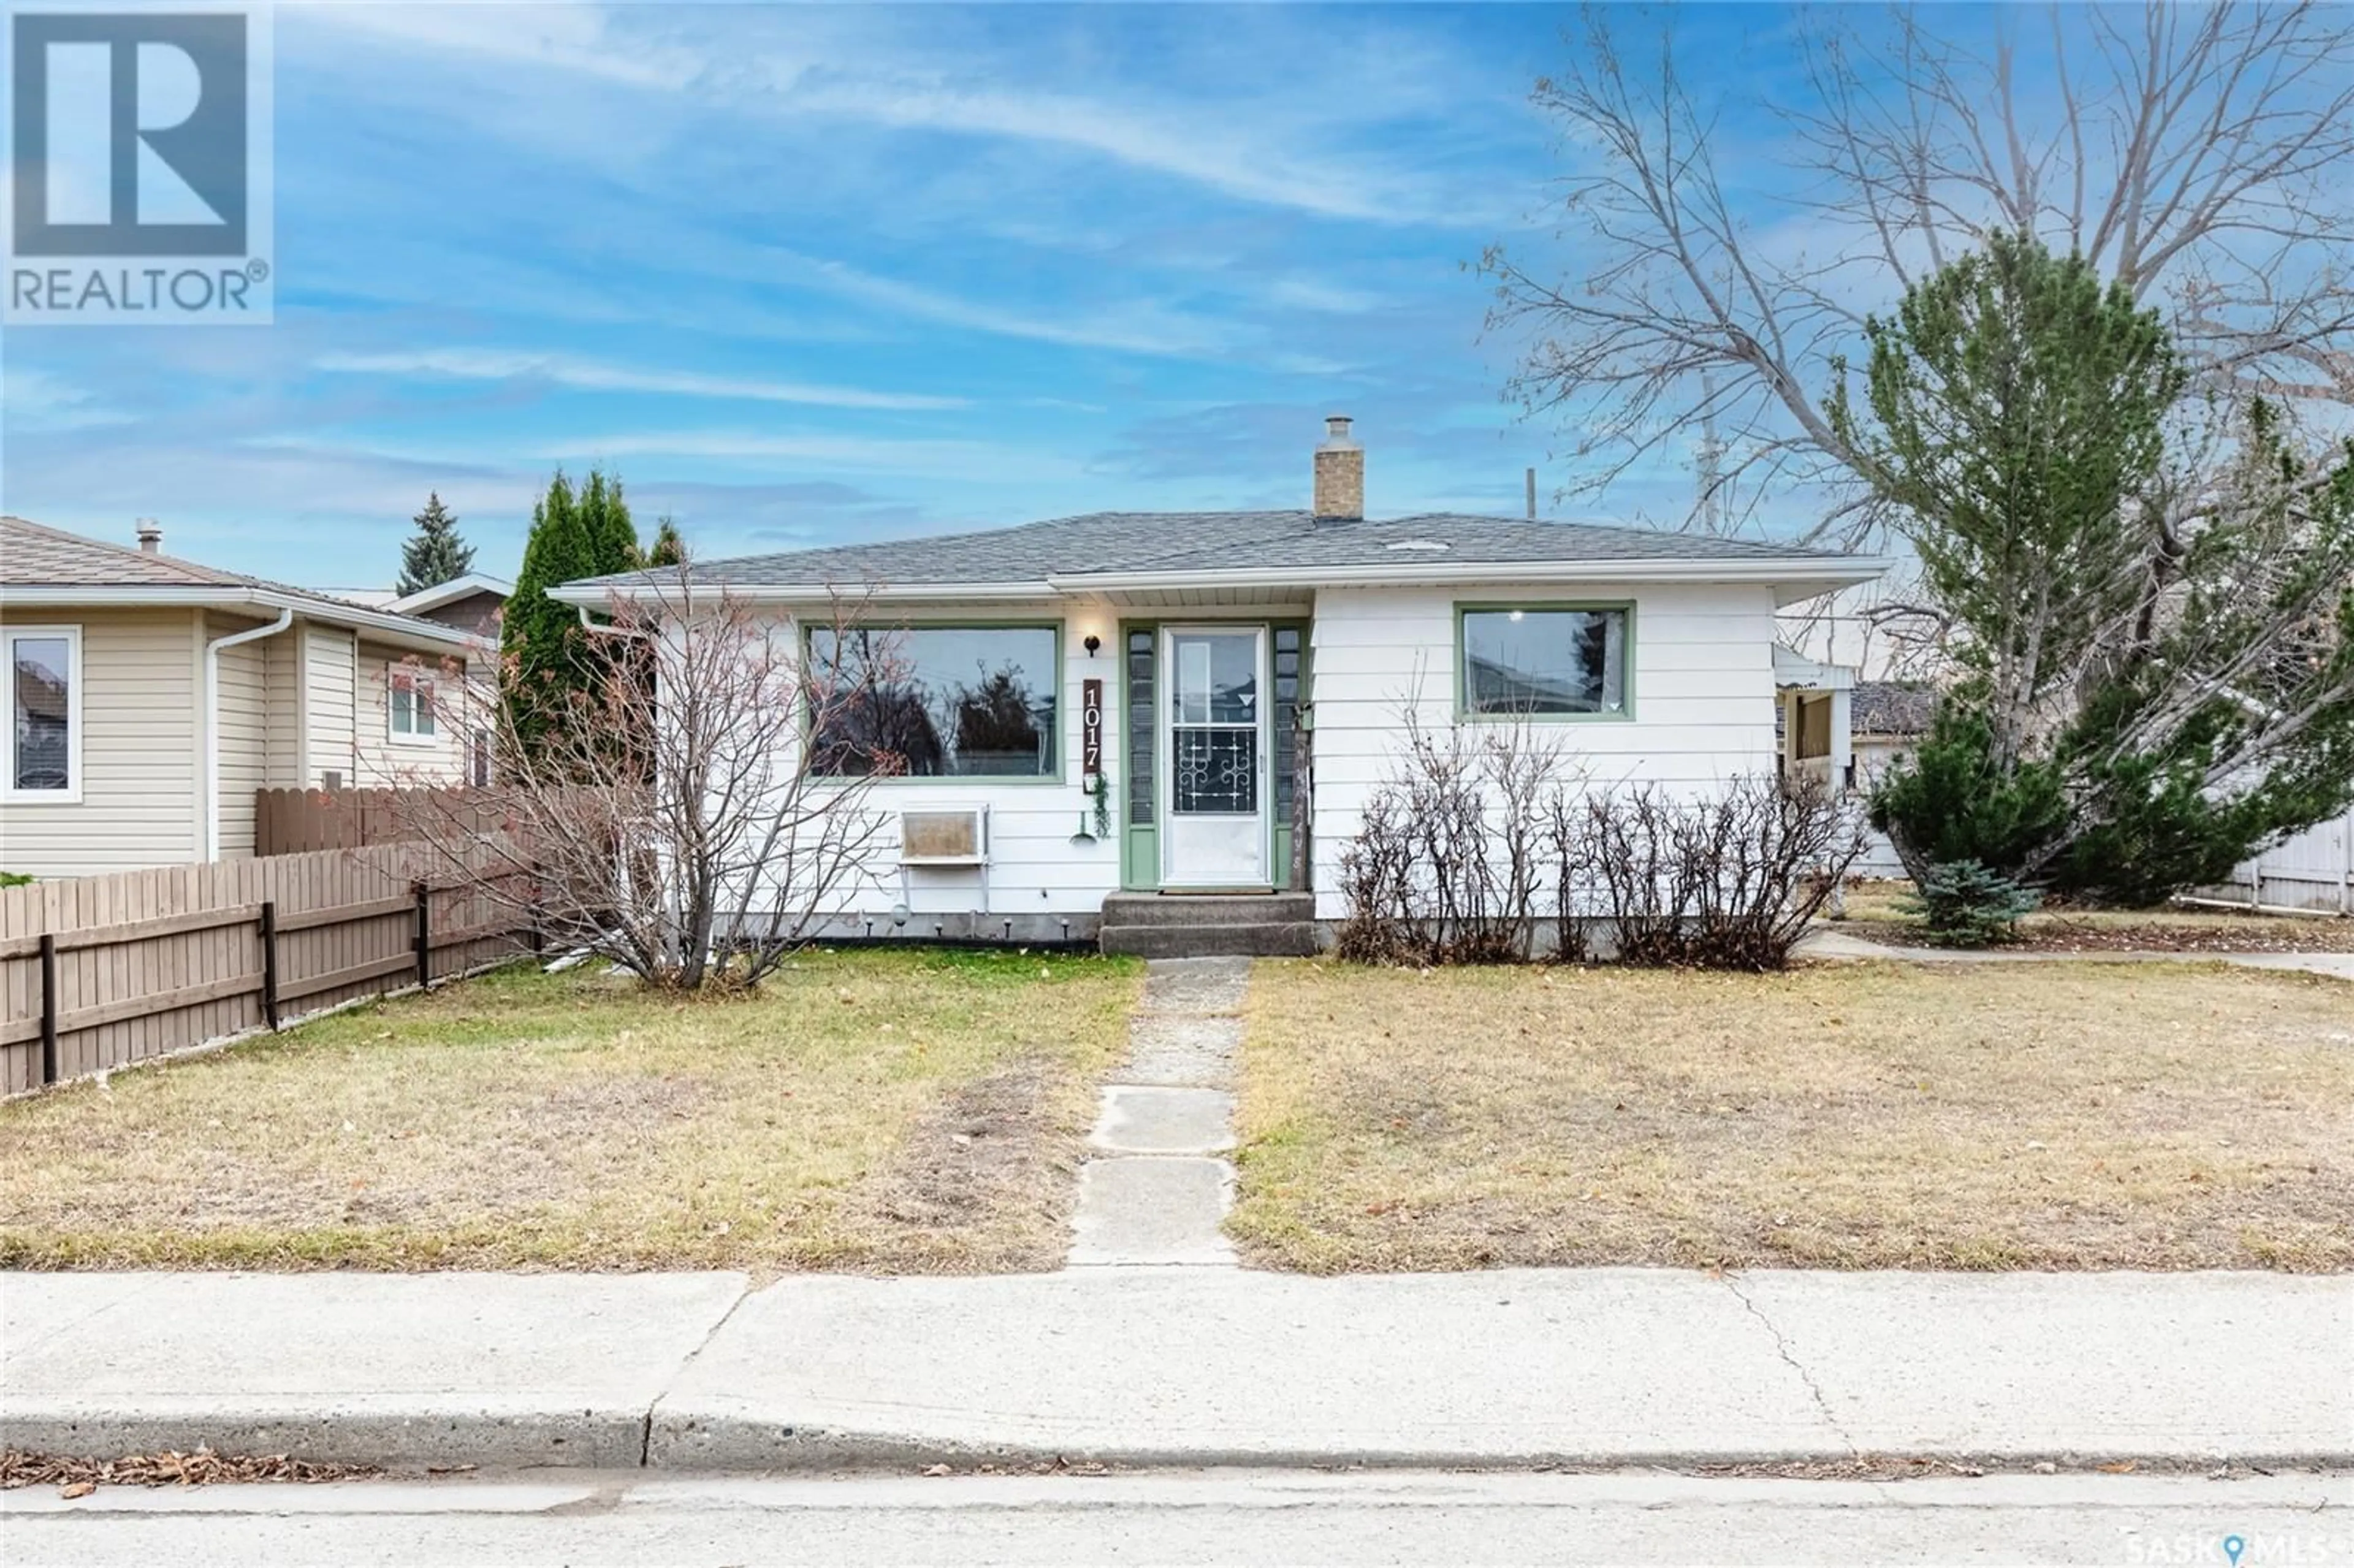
(2205,157)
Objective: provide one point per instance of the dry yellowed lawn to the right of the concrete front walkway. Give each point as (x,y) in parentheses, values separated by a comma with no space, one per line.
(1856,1117)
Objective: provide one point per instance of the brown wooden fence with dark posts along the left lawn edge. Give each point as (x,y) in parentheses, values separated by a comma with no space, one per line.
(107,971)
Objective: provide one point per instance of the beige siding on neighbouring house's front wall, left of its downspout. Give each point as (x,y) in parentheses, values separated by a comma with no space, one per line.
(140,752)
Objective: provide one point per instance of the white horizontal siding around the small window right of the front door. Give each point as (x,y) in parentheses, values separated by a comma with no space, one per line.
(1701,693)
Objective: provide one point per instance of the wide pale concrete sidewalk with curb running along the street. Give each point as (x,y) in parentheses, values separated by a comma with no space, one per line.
(1183,1367)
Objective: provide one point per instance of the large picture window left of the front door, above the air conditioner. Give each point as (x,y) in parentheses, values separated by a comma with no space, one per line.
(936,703)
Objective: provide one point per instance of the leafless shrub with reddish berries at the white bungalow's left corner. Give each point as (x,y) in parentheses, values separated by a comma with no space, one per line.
(672,820)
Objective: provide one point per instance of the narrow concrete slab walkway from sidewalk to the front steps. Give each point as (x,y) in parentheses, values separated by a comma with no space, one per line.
(1157,1190)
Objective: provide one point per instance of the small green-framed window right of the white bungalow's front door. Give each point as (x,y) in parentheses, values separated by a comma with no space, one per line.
(1545,663)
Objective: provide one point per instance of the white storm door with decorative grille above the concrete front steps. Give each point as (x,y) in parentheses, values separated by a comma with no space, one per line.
(1216,780)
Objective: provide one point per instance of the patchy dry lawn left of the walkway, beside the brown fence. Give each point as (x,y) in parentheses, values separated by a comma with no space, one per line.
(882,1110)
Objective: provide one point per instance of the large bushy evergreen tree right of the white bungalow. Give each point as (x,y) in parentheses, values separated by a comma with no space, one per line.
(2141,700)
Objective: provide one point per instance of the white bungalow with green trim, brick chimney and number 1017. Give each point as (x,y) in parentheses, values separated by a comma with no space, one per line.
(1242,684)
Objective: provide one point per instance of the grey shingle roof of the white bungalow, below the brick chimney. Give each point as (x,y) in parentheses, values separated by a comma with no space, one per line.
(1117,543)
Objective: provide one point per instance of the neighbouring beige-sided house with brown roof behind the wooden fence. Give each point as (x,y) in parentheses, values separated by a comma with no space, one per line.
(149,700)
